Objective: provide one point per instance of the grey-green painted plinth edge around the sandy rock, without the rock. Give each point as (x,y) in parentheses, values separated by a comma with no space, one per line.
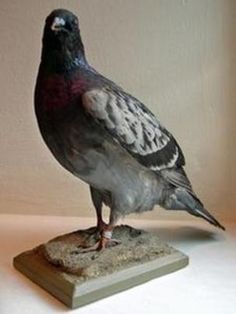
(73,292)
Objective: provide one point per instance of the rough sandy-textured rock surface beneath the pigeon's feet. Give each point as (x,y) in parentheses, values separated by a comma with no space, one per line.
(137,246)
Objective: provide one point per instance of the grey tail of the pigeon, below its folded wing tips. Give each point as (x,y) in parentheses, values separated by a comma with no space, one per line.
(180,199)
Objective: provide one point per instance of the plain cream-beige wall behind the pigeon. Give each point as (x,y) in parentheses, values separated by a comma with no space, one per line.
(179,57)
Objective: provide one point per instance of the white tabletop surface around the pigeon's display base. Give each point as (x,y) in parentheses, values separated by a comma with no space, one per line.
(207,285)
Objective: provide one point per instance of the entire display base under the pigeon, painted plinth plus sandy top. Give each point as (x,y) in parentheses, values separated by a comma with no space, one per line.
(77,278)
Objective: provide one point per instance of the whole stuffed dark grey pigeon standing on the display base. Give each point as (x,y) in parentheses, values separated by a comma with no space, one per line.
(105,136)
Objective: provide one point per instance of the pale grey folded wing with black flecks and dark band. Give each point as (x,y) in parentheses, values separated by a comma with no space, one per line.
(134,127)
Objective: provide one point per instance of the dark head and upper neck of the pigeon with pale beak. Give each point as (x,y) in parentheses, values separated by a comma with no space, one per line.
(62,44)
